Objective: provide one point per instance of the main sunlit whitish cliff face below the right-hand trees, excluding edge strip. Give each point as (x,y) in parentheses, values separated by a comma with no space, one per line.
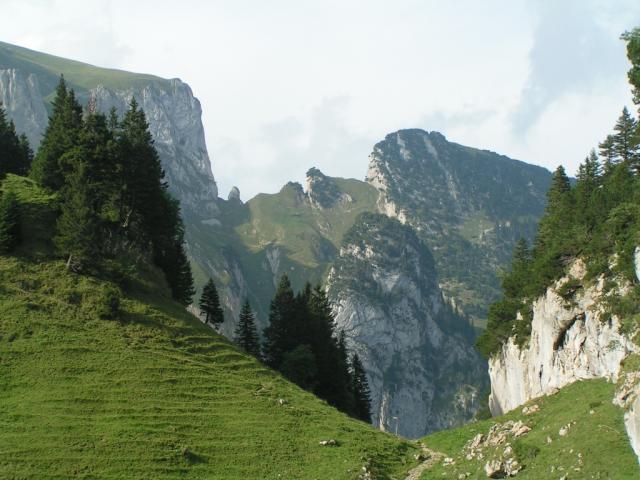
(570,340)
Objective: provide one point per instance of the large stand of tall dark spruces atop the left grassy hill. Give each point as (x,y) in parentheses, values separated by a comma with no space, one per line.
(111,189)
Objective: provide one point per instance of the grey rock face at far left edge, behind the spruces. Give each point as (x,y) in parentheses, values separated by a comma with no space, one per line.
(21,97)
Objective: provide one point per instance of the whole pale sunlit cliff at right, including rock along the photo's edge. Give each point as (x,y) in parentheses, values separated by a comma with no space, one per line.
(573,338)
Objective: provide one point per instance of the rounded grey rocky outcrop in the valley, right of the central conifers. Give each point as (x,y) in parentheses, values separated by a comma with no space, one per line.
(423,371)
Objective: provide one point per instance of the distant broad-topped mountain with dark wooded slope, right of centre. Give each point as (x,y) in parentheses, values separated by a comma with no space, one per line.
(470,206)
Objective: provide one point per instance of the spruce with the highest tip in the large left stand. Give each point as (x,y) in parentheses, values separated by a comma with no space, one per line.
(60,137)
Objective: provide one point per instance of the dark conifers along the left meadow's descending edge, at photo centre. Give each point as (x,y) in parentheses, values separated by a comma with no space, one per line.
(301,343)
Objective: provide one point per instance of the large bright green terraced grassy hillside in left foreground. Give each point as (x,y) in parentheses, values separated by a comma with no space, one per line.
(152,394)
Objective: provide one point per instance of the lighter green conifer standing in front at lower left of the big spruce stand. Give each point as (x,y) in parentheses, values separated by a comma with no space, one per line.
(77,228)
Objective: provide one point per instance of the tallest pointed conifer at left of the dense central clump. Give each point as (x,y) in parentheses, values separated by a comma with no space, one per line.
(278,338)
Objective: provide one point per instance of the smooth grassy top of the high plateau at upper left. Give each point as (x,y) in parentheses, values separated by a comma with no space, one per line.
(80,76)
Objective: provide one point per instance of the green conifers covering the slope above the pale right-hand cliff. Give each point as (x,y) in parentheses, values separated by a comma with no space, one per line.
(595,218)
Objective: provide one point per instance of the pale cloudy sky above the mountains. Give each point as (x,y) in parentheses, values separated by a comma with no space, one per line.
(286,85)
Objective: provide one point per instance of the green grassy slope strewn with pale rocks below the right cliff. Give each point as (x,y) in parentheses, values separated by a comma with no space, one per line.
(595,444)
